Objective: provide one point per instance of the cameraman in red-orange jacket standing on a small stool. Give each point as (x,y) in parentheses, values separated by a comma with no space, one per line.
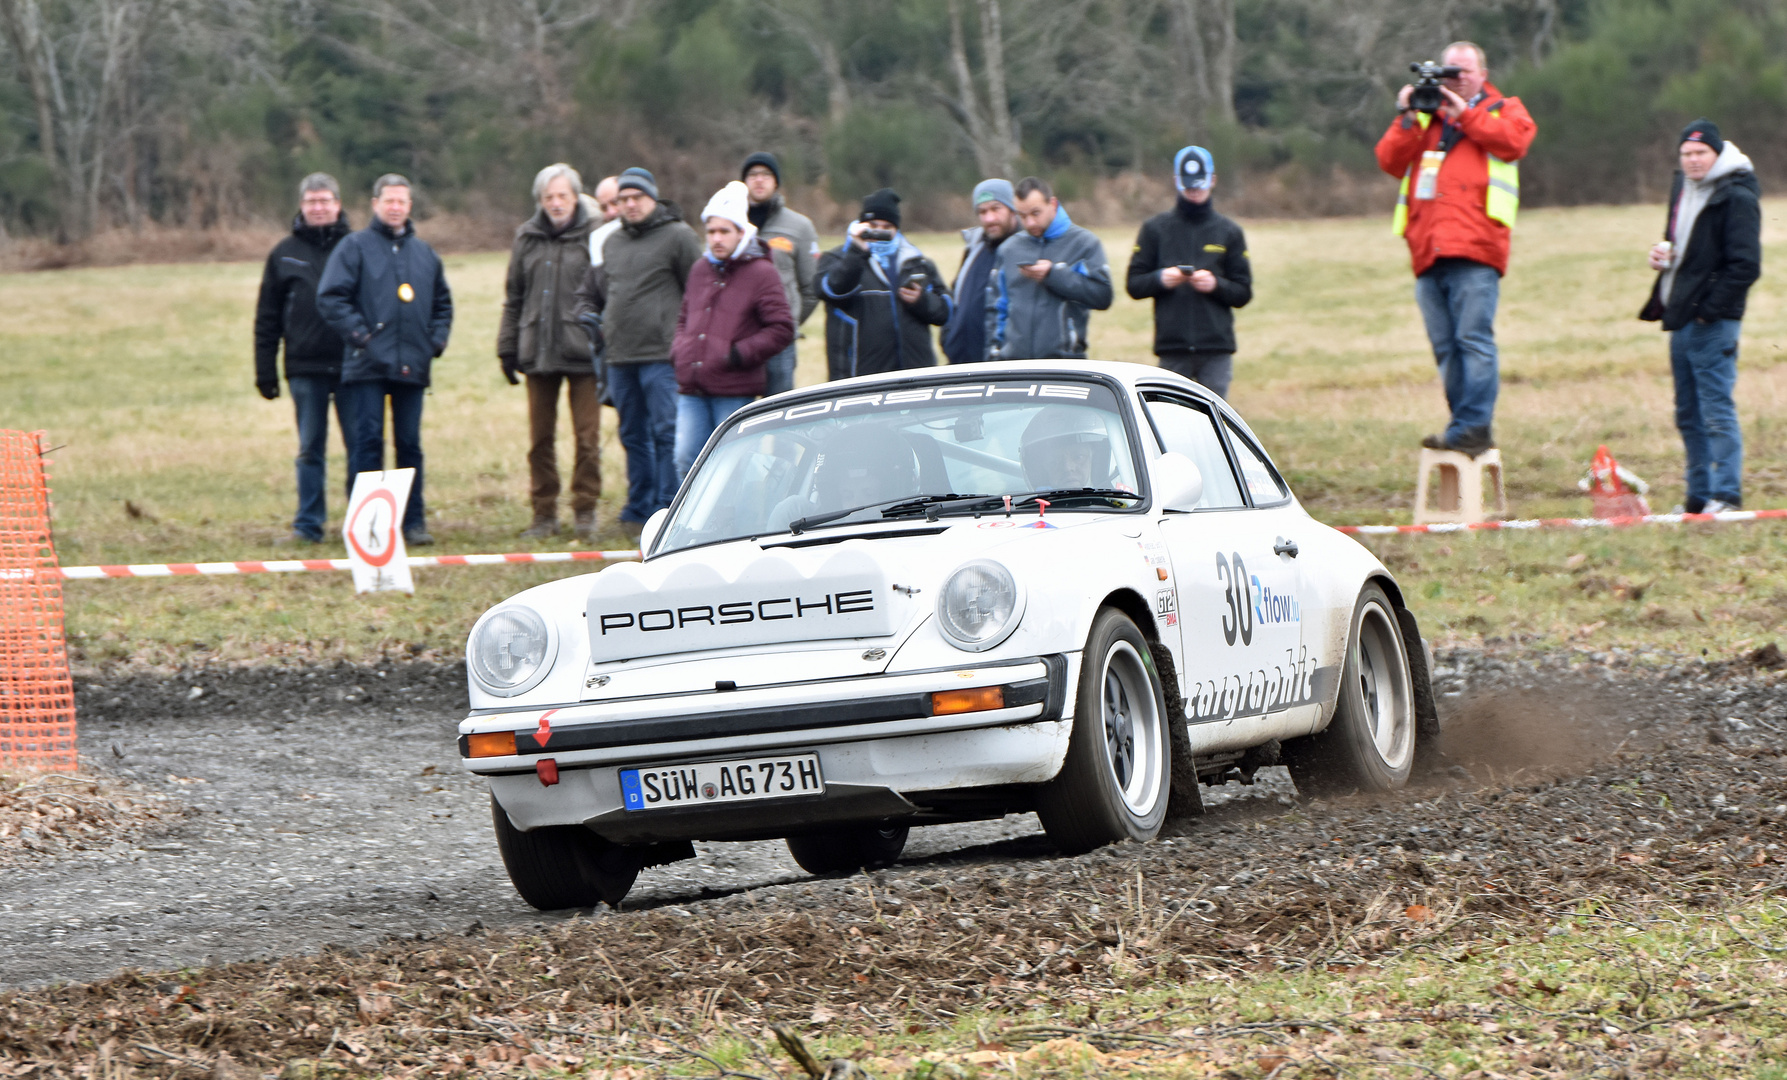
(1457,207)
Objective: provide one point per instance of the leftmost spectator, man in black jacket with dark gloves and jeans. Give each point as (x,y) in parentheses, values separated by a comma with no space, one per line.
(314,351)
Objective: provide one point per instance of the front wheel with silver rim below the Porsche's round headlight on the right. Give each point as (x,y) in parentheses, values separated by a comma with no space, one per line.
(1118,775)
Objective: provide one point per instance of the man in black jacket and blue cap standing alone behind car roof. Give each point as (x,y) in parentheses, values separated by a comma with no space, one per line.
(1195,264)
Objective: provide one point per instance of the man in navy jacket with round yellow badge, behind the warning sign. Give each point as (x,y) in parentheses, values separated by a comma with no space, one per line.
(387,296)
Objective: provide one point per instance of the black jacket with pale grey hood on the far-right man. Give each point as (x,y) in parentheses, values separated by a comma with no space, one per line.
(1722,255)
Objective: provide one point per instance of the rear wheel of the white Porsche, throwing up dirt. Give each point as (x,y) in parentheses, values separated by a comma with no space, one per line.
(1370,747)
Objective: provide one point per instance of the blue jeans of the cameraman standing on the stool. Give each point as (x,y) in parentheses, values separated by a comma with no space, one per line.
(1457,301)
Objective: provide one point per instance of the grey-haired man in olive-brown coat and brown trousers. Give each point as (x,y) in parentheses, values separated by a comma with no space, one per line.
(542,339)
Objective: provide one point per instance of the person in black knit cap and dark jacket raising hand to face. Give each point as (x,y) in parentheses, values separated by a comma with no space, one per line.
(885,292)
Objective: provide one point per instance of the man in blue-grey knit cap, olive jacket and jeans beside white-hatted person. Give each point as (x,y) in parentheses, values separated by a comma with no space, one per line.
(639,291)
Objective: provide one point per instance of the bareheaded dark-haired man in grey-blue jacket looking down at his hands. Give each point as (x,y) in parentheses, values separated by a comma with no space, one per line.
(1046,283)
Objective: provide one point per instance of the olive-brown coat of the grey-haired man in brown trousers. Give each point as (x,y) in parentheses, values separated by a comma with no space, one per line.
(541,333)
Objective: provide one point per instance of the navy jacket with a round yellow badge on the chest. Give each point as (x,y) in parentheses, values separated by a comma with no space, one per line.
(364,298)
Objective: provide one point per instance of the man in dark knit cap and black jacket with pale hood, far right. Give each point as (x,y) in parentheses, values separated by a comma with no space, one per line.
(1706,264)
